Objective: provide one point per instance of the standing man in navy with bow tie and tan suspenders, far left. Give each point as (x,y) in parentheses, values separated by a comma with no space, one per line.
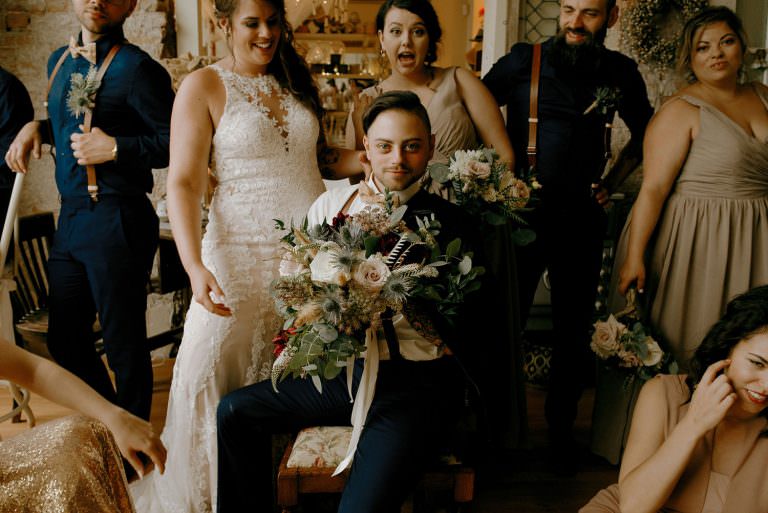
(103,249)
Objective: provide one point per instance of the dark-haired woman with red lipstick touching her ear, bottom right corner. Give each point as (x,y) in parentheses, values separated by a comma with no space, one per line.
(700,444)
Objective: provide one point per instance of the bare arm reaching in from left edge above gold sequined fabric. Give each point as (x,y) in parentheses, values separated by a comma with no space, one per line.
(133,435)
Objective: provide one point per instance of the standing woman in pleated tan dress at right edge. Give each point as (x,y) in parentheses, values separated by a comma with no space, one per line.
(701,218)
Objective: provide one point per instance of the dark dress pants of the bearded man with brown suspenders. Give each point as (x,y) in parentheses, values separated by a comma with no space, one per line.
(569,243)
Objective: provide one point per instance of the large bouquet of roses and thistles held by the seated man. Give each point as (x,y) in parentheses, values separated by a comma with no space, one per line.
(337,281)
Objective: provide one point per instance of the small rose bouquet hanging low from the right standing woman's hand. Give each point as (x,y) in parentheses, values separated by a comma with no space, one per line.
(623,342)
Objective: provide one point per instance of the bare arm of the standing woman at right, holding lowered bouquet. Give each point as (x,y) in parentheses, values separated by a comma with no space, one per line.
(666,146)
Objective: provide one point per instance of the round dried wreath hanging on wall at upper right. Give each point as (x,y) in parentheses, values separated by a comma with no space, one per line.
(648,38)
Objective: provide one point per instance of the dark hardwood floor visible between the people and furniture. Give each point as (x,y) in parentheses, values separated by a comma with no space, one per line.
(518,483)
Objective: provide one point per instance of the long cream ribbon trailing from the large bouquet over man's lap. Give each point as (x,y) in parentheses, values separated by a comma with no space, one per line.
(364,396)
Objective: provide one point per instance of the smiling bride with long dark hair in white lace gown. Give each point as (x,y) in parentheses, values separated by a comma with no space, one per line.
(253,118)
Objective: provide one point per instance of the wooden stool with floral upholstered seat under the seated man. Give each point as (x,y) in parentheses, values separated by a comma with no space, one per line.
(309,462)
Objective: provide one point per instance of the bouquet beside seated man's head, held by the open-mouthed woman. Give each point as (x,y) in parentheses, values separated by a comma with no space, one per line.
(488,189)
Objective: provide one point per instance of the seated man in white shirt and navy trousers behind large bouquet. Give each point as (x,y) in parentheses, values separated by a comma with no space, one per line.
(419,390)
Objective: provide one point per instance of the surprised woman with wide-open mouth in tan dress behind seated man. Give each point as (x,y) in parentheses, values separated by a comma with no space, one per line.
(463,115)
